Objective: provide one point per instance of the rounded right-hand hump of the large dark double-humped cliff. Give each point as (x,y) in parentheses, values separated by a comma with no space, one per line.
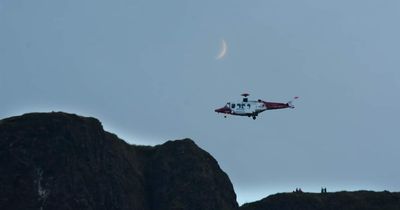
(186,177)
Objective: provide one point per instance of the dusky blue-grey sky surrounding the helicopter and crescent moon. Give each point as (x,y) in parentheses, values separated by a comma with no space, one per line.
(147,70)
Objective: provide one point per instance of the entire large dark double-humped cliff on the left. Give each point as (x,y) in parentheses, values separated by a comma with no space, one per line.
(64,161)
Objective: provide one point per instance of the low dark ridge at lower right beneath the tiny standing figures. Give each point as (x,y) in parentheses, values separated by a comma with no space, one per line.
(360,200)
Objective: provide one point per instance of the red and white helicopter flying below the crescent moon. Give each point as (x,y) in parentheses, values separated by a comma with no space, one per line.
(250,108)
